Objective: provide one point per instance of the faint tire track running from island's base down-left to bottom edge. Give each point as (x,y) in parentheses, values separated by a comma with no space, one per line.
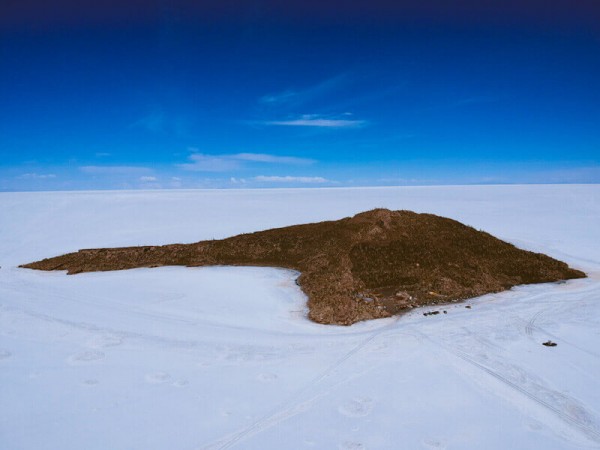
(298,402)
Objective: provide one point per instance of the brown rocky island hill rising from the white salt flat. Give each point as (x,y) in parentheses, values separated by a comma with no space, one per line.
(375,264)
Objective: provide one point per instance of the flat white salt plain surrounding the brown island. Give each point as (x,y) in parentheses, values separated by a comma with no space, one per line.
(192,358)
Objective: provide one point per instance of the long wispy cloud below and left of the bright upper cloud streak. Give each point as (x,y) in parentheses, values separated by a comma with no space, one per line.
(201,162)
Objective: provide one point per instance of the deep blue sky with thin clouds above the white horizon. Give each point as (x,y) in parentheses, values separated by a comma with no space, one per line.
(258,93)
